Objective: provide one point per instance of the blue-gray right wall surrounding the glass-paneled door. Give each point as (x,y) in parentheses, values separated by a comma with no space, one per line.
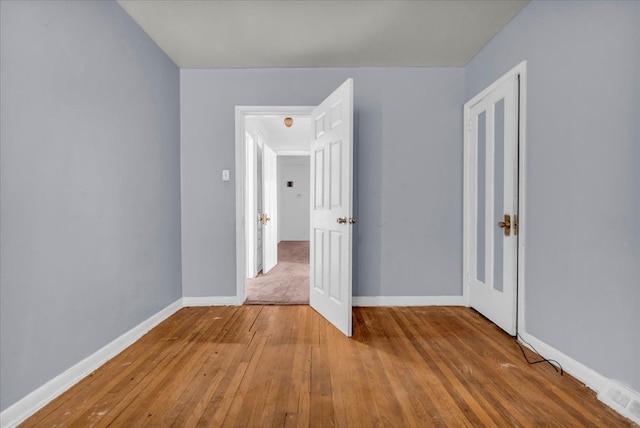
(583,175)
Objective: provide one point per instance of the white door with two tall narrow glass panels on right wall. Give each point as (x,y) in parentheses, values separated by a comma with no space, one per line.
(491,202)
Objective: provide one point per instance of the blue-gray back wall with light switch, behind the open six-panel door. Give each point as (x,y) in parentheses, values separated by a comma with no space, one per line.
(408,173)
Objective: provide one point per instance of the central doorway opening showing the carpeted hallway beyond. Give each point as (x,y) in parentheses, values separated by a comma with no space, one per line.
(273,186)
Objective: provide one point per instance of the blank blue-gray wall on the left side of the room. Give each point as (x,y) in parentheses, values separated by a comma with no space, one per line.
(90,196)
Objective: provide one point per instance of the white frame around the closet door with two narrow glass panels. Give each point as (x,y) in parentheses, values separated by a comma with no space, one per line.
(521,71)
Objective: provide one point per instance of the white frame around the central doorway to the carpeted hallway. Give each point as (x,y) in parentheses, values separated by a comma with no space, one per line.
(241,113)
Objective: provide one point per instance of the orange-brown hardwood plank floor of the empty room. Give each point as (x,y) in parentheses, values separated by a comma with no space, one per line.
(281,366)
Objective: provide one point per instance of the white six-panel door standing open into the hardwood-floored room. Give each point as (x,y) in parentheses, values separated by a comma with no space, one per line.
(331,207)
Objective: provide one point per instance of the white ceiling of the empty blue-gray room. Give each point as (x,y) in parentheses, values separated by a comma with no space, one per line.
(321,33)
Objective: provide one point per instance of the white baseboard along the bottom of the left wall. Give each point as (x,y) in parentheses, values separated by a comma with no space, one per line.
(37,399)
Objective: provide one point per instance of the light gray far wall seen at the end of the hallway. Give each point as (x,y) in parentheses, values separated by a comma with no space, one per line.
(294,204)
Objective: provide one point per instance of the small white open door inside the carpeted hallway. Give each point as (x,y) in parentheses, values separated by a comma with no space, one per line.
(269,218)
